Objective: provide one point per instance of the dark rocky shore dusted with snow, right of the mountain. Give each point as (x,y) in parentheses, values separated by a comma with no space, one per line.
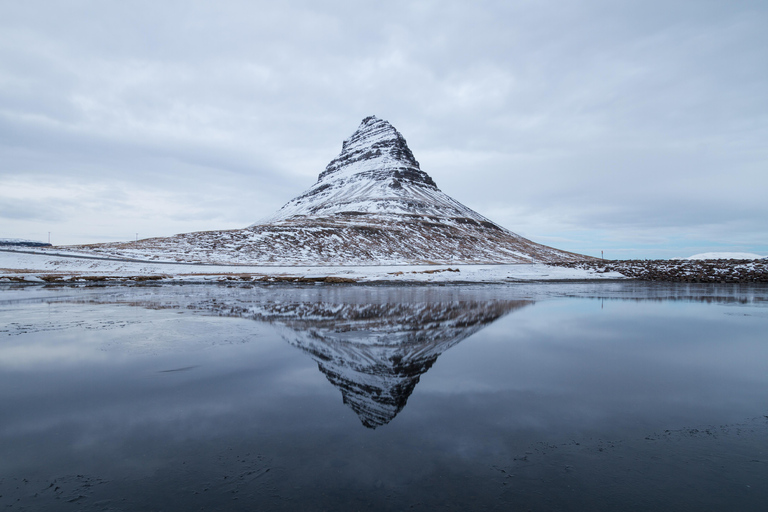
(686,271)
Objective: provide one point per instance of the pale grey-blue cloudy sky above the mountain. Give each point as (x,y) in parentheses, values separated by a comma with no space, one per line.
(638,128)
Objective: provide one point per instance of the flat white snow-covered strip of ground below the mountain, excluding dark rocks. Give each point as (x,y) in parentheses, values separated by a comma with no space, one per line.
(39,266)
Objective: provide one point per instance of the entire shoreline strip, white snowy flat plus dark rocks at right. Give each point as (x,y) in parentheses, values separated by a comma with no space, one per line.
(48,267)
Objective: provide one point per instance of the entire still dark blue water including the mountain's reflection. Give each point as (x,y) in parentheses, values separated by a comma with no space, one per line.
(600,396)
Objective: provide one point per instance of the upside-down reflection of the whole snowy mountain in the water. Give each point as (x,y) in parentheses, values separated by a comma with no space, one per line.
(374,349)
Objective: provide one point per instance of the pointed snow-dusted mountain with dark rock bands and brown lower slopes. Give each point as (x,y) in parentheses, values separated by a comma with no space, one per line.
(371,205)
